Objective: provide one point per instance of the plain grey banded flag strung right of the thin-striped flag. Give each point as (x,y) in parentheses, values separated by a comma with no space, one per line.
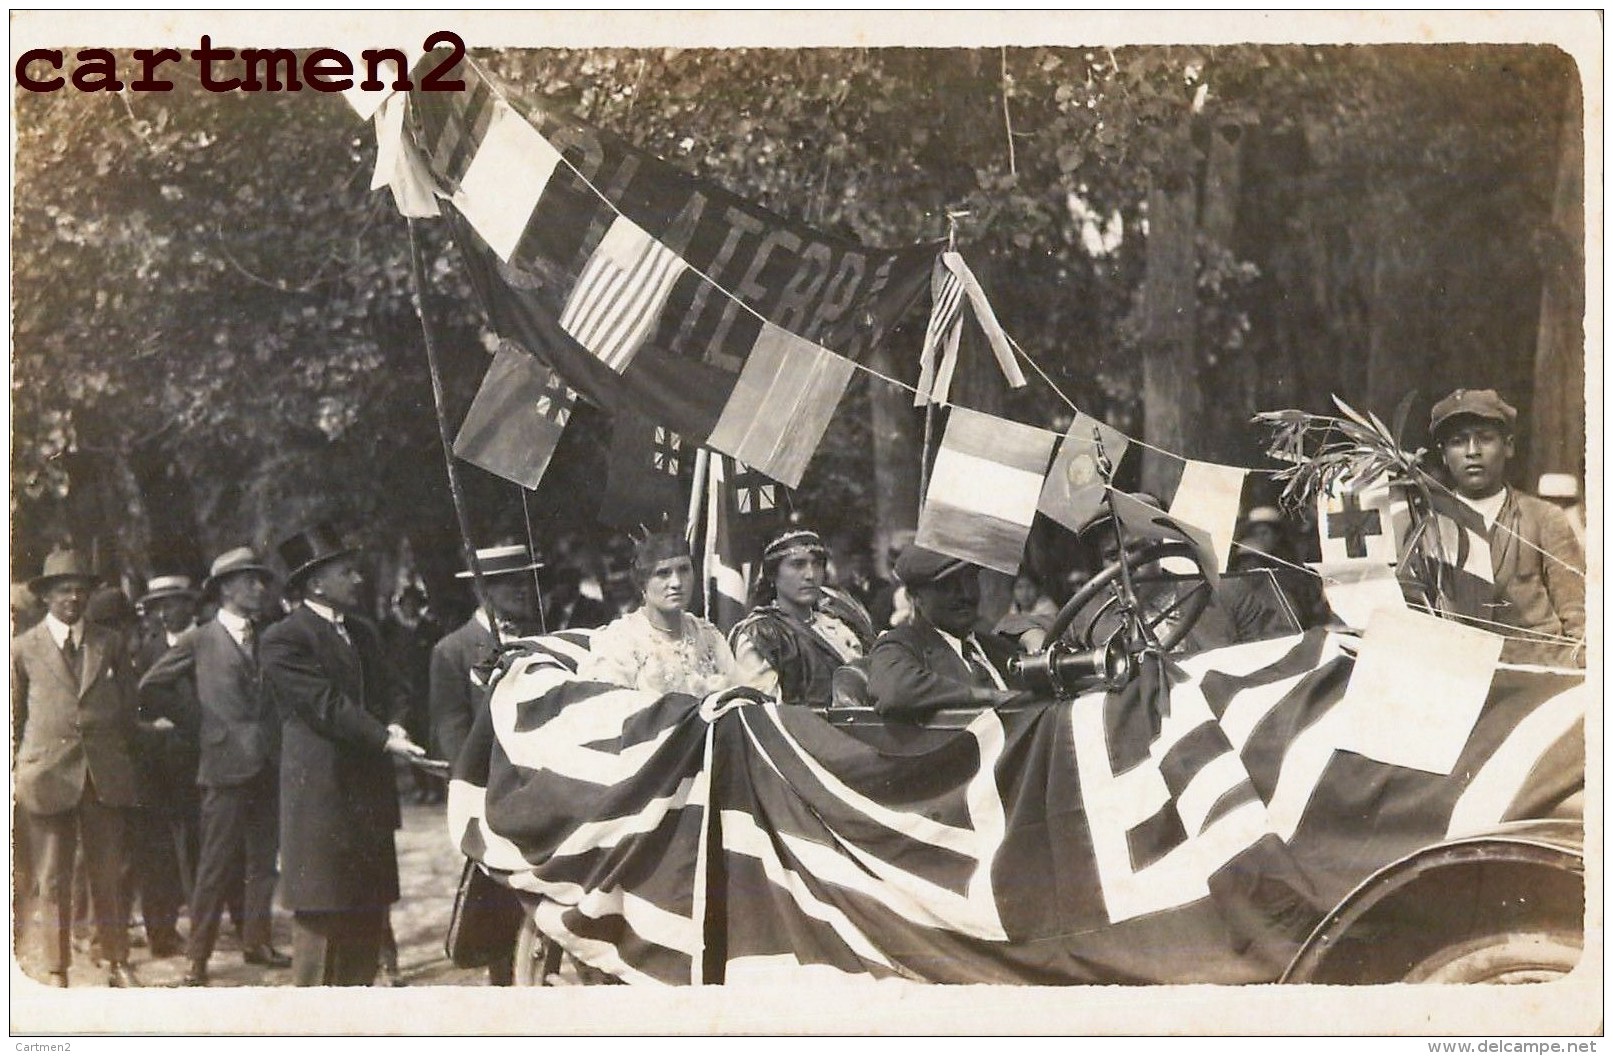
(781,405)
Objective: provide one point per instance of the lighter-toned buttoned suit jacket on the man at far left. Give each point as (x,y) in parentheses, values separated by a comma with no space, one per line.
(65,734)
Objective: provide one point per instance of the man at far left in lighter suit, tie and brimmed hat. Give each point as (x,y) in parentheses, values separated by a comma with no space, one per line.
(73,713)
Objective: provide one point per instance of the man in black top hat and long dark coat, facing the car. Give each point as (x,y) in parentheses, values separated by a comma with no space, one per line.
(341,730)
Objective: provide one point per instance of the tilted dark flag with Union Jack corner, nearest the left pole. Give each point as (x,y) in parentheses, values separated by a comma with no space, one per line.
(517,418)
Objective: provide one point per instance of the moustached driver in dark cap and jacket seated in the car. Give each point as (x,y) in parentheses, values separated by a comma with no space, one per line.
(940,659)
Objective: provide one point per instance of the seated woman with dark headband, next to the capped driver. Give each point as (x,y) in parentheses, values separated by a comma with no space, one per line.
(791,644)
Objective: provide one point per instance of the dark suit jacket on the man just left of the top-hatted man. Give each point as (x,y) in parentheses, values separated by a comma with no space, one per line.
(240,730)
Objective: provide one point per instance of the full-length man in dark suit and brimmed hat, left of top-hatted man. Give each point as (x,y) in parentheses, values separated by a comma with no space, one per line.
(240,763)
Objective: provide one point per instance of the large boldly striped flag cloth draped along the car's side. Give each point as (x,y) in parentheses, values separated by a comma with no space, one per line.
(1193,828)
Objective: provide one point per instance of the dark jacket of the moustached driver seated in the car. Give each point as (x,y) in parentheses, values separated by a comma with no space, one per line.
(912,671)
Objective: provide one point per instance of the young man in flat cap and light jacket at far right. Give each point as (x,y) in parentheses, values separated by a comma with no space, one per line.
(1538,563)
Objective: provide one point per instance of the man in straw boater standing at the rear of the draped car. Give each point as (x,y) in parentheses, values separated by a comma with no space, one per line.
(457,692)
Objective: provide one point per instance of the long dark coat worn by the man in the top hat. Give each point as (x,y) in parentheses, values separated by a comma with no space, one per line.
(340,802)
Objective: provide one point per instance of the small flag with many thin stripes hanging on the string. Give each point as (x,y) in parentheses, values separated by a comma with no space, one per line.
(620,294)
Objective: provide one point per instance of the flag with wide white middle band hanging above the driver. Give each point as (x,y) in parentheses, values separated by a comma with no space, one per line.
(985,489)
